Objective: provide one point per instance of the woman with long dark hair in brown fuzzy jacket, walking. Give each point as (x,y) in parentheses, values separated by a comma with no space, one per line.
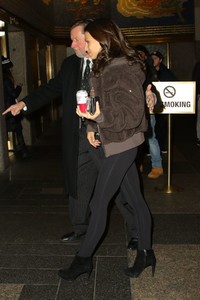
(117,81)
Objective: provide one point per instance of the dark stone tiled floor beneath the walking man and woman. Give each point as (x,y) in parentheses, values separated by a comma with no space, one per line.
(34,215)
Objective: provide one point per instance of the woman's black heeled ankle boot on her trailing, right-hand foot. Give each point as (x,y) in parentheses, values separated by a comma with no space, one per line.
(144,259)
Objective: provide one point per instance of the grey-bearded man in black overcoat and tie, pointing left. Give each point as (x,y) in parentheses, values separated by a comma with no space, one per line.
(80,160)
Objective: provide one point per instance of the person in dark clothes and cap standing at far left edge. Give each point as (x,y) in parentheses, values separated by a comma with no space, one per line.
(13,123)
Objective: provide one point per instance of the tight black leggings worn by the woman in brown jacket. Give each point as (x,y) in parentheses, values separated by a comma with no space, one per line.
(117,171)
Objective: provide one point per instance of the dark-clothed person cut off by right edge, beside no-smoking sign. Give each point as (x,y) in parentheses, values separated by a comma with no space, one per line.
(196,77)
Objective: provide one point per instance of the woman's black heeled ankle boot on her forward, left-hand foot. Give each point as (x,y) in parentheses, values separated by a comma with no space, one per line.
(79,266)
